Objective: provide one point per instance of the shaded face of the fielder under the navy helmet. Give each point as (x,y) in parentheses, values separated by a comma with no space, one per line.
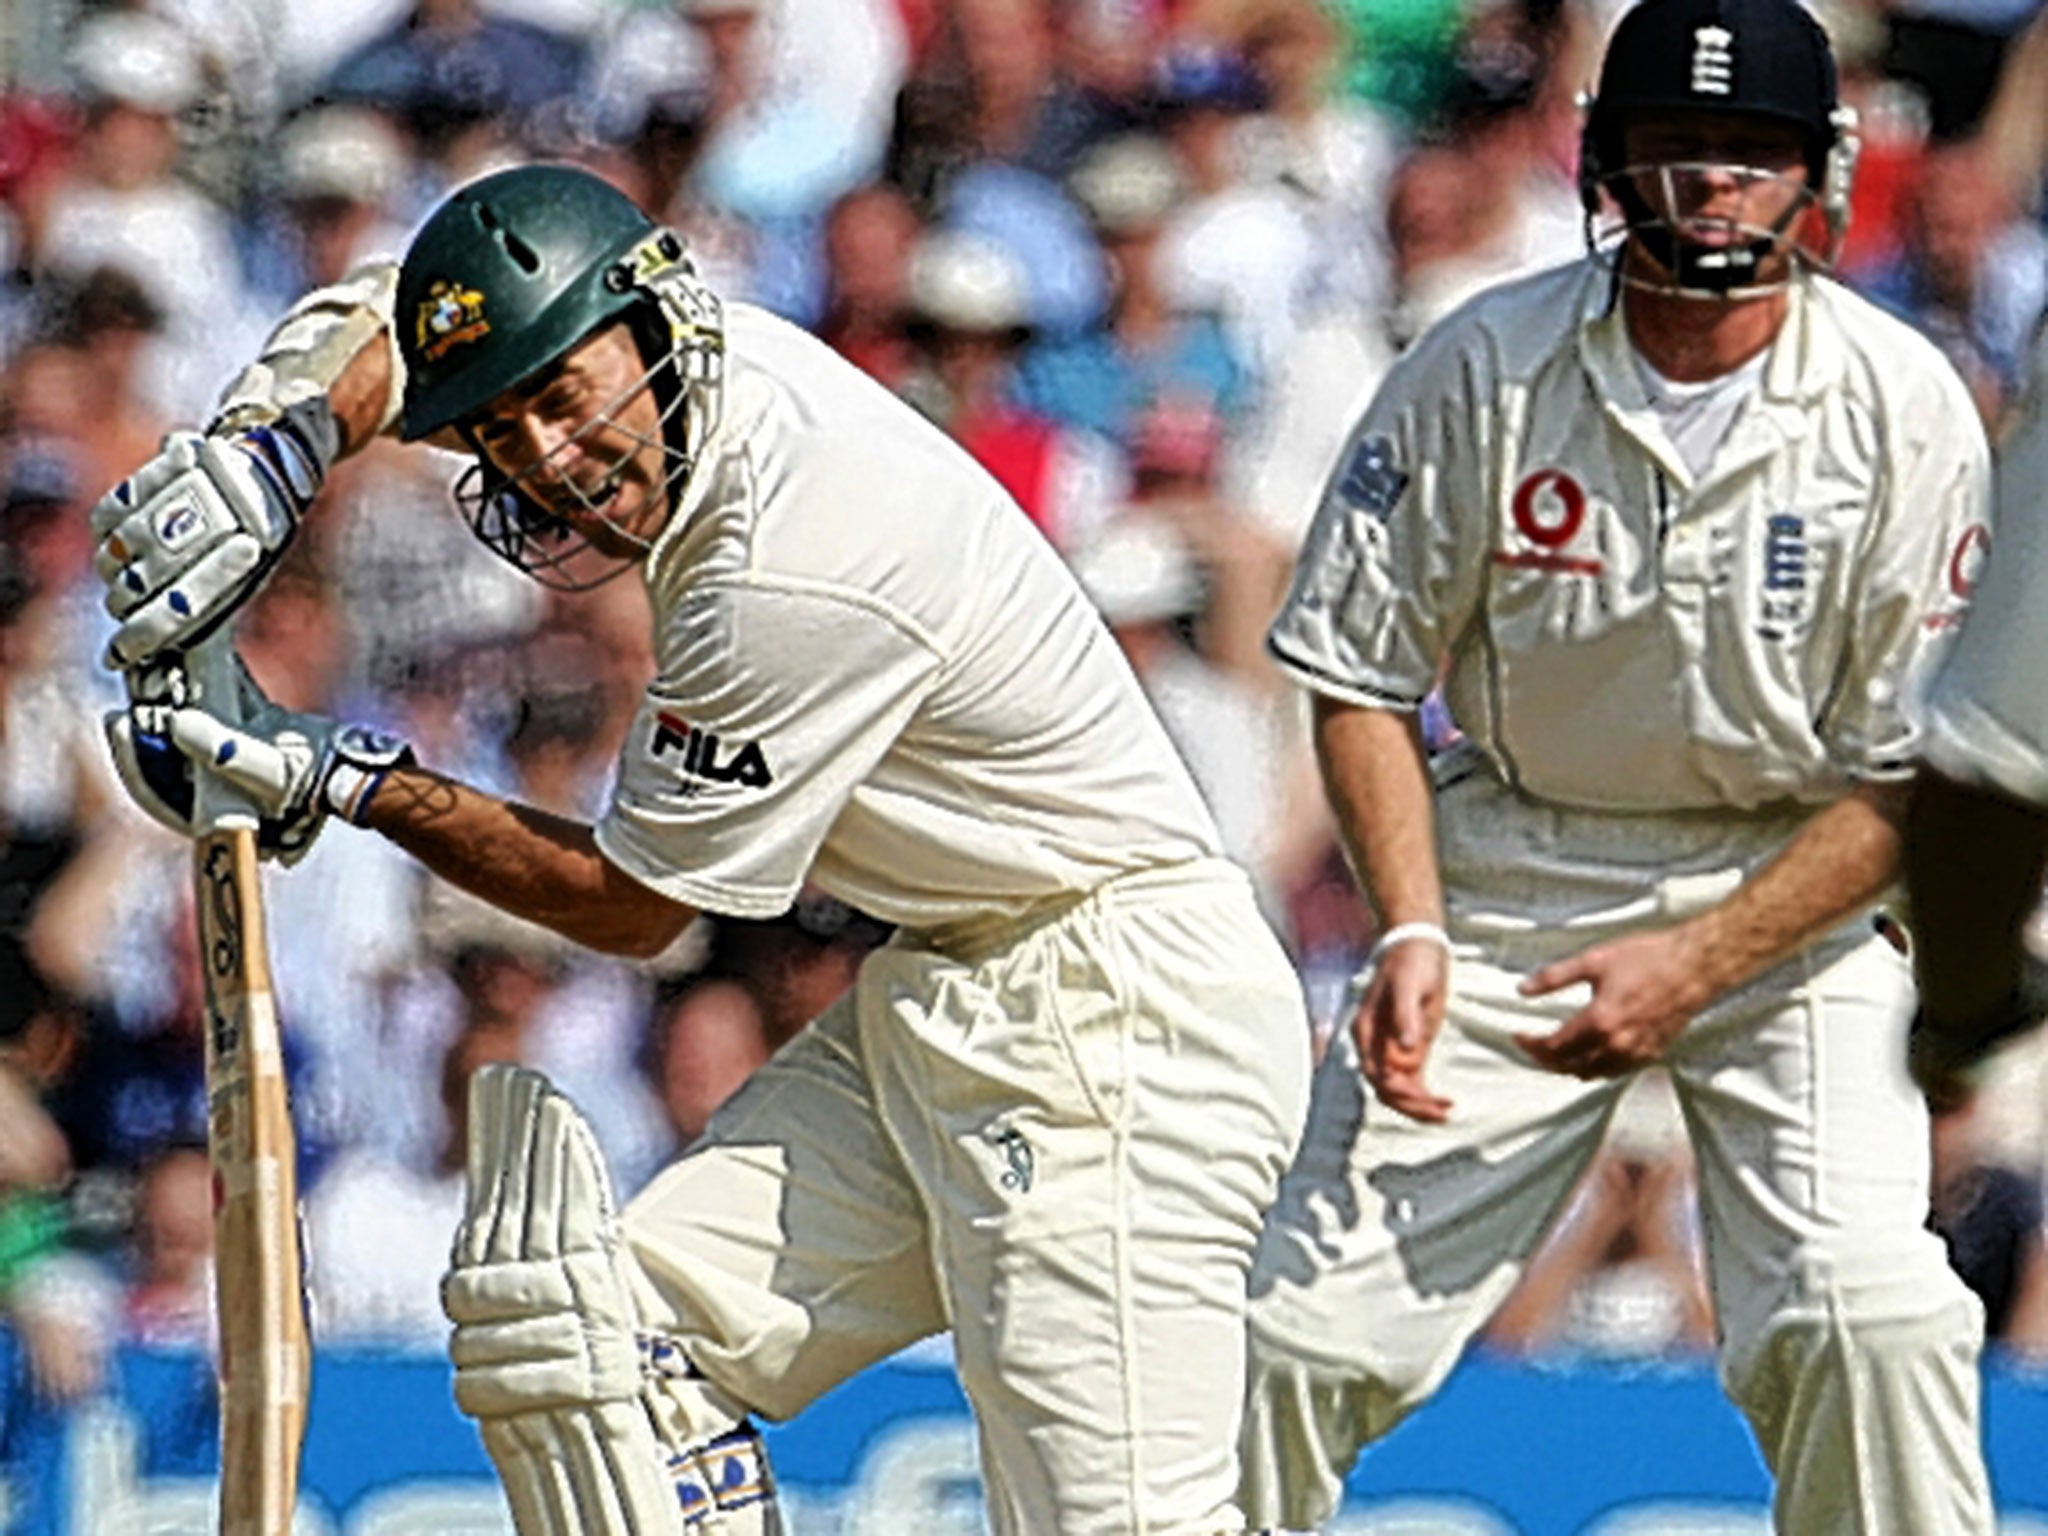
(1719,179)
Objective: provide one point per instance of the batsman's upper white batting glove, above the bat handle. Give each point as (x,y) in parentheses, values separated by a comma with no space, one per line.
(191,536)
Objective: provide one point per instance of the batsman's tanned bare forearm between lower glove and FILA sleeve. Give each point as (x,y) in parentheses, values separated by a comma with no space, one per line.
(529,863)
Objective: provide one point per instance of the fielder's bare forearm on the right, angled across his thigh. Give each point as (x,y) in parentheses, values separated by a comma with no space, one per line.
(1842,861)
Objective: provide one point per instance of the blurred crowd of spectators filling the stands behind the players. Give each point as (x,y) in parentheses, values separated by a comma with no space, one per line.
(1144,259)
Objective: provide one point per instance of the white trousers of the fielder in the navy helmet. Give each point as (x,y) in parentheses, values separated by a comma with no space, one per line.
(1846,1338)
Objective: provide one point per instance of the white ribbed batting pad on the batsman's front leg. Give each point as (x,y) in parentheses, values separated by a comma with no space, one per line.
(548,1351)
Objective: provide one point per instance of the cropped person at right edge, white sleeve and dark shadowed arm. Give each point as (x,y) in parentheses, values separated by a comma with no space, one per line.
(1977,833)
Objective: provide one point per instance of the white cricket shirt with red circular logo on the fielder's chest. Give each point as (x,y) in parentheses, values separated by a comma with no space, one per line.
(1621,634)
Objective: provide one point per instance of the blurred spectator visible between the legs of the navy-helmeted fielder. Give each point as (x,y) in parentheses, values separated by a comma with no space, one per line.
(1623,1273)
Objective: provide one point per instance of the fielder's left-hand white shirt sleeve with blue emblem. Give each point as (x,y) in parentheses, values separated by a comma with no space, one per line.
(1390,572)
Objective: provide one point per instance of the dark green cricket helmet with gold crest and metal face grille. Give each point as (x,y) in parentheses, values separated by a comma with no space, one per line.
(507,278)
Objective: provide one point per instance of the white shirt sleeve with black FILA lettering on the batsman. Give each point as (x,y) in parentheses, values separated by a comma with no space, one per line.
(771,710)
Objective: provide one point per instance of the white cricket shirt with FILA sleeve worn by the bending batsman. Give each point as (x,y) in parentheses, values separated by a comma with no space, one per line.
(878,675)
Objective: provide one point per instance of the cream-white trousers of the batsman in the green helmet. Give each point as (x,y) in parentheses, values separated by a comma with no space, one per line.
(1060,1146)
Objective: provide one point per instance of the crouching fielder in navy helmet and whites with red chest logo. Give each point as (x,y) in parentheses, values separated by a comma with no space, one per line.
(1684,523)
